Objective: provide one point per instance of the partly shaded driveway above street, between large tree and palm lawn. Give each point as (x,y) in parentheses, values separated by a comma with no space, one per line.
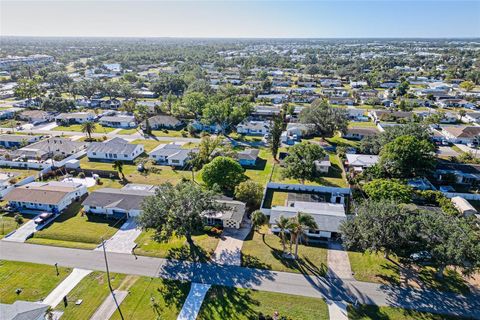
(229,248)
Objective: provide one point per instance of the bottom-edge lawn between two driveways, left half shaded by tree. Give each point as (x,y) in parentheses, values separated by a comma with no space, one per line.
(224,303)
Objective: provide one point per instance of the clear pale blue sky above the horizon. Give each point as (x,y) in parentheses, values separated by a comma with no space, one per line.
(331,19)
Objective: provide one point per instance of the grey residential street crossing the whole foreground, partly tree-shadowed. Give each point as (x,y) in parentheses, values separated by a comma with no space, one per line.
(335,289)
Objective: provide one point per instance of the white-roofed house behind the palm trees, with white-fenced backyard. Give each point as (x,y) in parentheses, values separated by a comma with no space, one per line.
(328,216)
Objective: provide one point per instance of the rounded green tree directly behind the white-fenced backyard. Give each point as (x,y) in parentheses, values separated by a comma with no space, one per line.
(300,161)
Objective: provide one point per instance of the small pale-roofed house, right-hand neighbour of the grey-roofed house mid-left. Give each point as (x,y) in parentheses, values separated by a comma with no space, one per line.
(171,154)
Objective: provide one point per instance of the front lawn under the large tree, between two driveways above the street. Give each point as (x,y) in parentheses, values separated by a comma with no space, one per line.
(176,248)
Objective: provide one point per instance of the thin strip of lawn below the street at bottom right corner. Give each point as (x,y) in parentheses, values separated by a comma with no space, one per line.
(367,312)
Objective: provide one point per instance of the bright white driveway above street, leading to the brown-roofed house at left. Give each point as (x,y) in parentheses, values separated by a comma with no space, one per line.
(123,241)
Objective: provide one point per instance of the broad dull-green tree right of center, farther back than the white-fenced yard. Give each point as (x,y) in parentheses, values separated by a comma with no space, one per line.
(325,119)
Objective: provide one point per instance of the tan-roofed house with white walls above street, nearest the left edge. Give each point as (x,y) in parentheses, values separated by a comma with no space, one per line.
(52,196)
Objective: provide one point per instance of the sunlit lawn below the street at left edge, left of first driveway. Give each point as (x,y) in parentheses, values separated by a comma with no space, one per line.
(35,280)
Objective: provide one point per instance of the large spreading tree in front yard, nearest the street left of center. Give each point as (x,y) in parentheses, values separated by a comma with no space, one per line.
(177,210)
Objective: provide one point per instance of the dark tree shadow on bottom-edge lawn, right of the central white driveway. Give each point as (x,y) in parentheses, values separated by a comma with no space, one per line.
(228,303)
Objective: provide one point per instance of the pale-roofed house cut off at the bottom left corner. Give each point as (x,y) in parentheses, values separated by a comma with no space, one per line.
(23,310)
